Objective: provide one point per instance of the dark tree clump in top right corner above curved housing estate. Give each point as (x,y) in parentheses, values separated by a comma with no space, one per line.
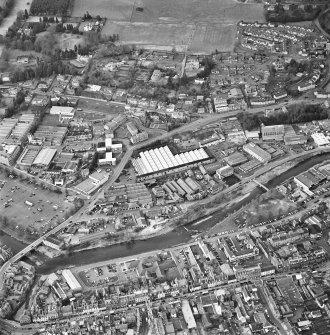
(294,14)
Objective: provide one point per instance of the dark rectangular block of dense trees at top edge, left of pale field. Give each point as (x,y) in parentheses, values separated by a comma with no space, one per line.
(50,7)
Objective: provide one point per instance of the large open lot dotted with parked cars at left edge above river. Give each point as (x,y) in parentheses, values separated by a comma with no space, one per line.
(24,215)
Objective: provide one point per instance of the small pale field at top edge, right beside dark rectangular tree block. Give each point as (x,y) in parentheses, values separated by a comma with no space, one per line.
(111,9)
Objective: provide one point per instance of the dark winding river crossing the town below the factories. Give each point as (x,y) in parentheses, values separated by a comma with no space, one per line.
(178,236)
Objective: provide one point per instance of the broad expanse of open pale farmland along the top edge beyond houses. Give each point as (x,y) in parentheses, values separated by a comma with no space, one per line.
(183,24)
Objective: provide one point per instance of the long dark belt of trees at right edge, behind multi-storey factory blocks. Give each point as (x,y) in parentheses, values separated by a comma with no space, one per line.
(296,114)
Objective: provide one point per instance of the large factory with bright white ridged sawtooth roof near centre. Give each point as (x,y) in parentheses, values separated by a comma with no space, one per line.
(160,161)
